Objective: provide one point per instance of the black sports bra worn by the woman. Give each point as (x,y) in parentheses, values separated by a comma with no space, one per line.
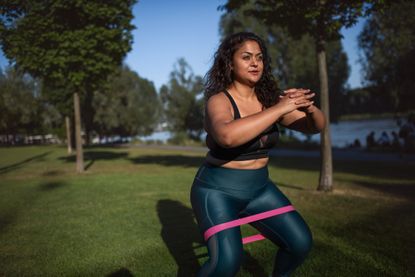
(256,148)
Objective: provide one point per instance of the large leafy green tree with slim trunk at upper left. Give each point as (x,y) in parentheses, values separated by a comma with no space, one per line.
(70,44)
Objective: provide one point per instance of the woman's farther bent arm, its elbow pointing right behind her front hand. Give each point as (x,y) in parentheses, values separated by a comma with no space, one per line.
(309,120)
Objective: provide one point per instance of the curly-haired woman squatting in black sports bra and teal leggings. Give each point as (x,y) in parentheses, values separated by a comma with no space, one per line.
(243,107)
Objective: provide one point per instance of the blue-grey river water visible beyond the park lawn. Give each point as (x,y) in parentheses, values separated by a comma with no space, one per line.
(342,134)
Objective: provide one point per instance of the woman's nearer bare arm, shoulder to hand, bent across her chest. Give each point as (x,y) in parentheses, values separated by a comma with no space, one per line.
(231,133)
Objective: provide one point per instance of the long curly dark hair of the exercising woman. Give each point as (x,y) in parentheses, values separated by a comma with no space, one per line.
(219,77)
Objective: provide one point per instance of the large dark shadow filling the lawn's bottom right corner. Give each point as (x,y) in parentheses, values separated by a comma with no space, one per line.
(380,244)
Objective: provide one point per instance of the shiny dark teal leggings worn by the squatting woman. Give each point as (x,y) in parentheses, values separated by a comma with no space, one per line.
(219,195)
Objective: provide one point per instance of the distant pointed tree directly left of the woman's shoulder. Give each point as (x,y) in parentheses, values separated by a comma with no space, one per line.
(182,101)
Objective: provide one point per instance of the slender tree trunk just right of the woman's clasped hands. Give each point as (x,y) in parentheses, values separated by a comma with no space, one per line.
(326,172)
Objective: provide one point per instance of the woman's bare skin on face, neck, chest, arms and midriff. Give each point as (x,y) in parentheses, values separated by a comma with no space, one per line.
(295,109)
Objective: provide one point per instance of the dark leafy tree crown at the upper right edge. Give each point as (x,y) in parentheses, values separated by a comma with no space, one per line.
(388,46)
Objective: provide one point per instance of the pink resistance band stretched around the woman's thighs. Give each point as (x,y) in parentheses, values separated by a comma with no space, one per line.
(237,222)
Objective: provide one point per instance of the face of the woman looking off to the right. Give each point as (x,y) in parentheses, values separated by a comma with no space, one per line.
(247,63)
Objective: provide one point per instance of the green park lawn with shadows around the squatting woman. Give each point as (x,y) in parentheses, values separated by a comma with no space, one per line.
(130,215)
